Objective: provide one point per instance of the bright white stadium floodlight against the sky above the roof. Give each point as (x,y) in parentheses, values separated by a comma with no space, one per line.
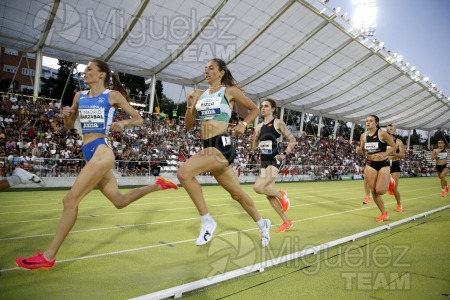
(365,16)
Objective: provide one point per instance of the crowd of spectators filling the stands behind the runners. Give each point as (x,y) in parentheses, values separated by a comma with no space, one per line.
(33,136)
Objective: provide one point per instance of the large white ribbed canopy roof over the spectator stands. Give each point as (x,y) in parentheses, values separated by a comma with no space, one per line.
(301,53)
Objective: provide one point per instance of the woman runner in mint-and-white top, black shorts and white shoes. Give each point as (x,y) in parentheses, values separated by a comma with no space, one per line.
(214,107)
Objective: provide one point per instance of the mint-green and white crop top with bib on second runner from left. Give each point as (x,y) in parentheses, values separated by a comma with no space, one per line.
(213,106)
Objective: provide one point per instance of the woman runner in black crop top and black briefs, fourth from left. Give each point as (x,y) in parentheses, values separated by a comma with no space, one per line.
(377,171)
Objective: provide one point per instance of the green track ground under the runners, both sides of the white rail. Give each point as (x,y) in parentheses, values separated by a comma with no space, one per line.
(150,245)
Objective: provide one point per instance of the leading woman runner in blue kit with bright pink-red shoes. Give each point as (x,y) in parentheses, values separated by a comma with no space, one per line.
(96,110)
